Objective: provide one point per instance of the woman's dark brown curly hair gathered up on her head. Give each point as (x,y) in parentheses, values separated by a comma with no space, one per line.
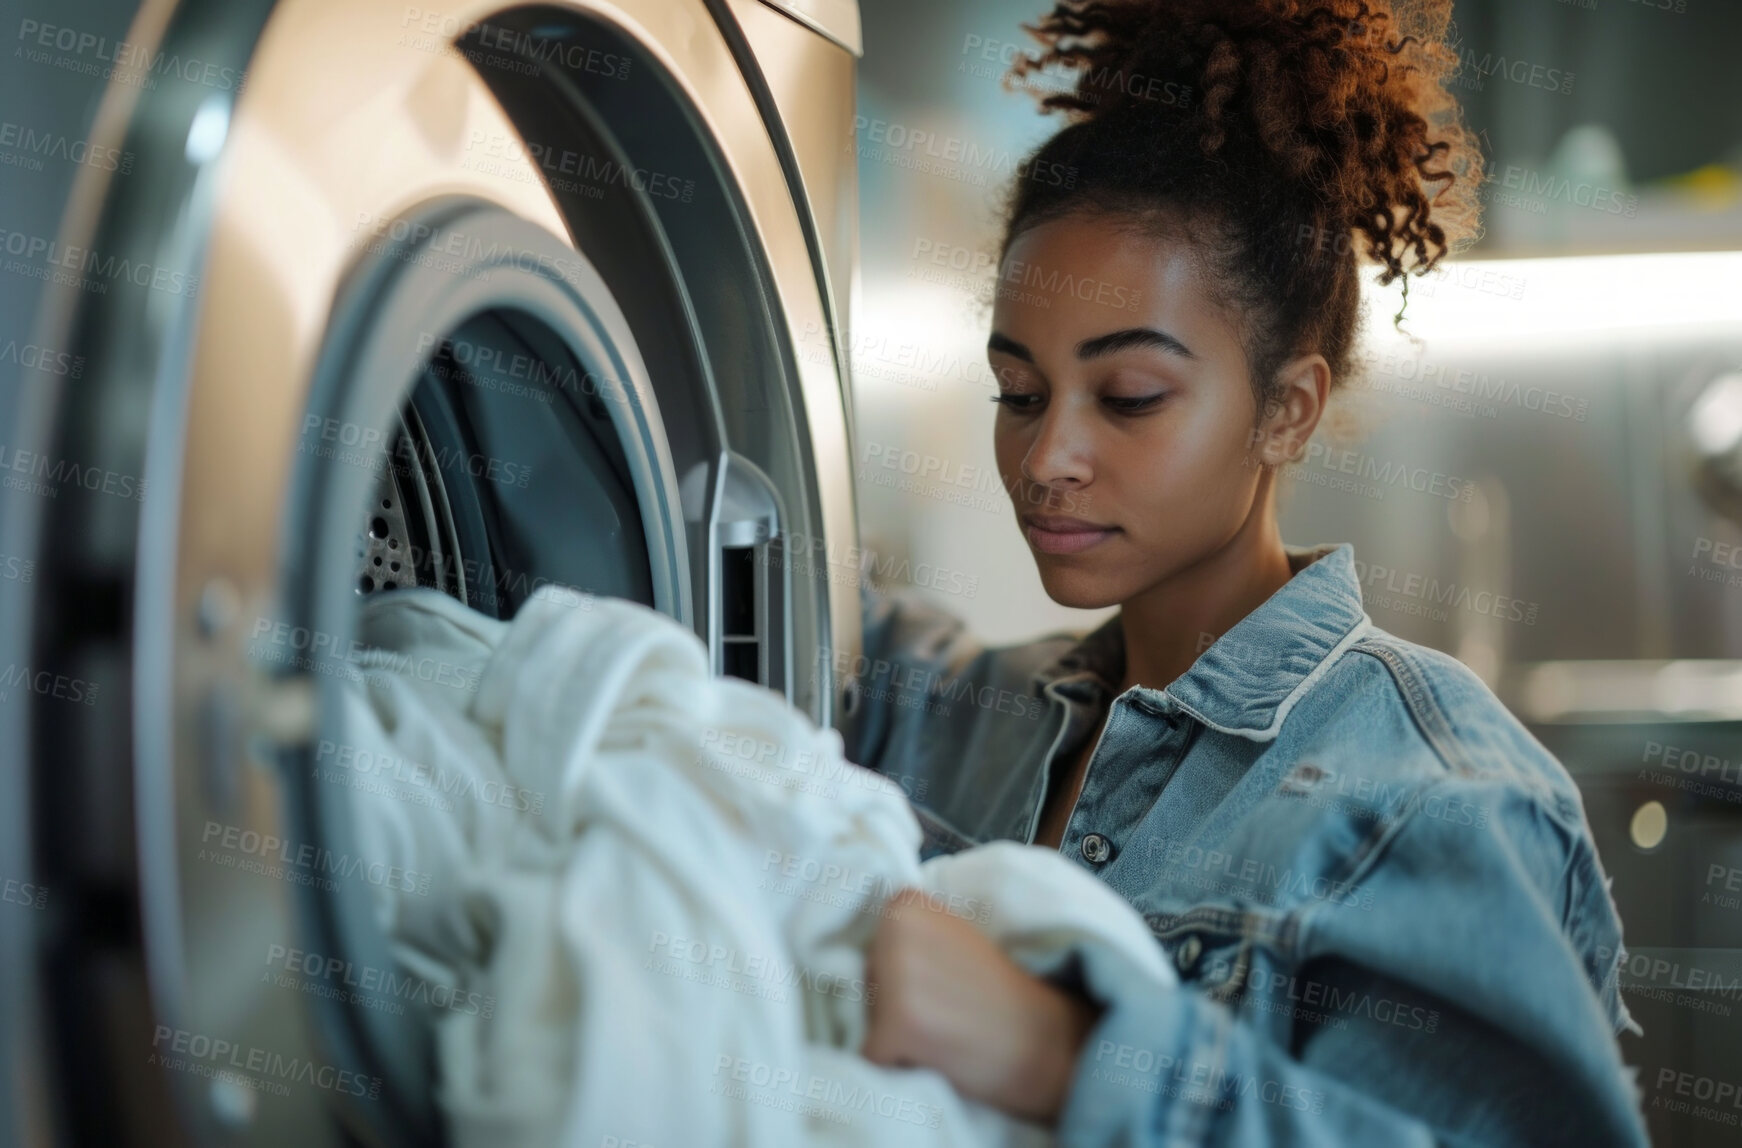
(1299,135)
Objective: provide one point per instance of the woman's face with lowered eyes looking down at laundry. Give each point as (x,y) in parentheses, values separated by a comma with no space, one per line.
(1126,407)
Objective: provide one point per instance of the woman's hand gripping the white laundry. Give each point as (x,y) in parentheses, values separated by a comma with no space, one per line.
(949,999)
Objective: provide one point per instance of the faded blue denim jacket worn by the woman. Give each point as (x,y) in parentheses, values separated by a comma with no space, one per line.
(1381,891)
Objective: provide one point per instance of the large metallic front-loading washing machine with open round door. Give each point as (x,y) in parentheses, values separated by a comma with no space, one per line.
(391,295)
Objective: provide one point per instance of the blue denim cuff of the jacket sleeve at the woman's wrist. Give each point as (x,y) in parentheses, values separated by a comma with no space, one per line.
(1151,1069)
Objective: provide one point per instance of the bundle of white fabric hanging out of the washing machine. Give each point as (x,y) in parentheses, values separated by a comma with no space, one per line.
(665,882)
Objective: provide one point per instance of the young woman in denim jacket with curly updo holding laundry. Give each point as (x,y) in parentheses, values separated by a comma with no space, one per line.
(1381,891)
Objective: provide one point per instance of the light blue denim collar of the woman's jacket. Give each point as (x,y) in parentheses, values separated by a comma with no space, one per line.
(1250,679)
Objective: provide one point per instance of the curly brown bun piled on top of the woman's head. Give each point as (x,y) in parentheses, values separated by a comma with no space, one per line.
(1344,98)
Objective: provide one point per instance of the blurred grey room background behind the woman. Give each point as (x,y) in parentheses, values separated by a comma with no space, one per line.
(1581,367)
